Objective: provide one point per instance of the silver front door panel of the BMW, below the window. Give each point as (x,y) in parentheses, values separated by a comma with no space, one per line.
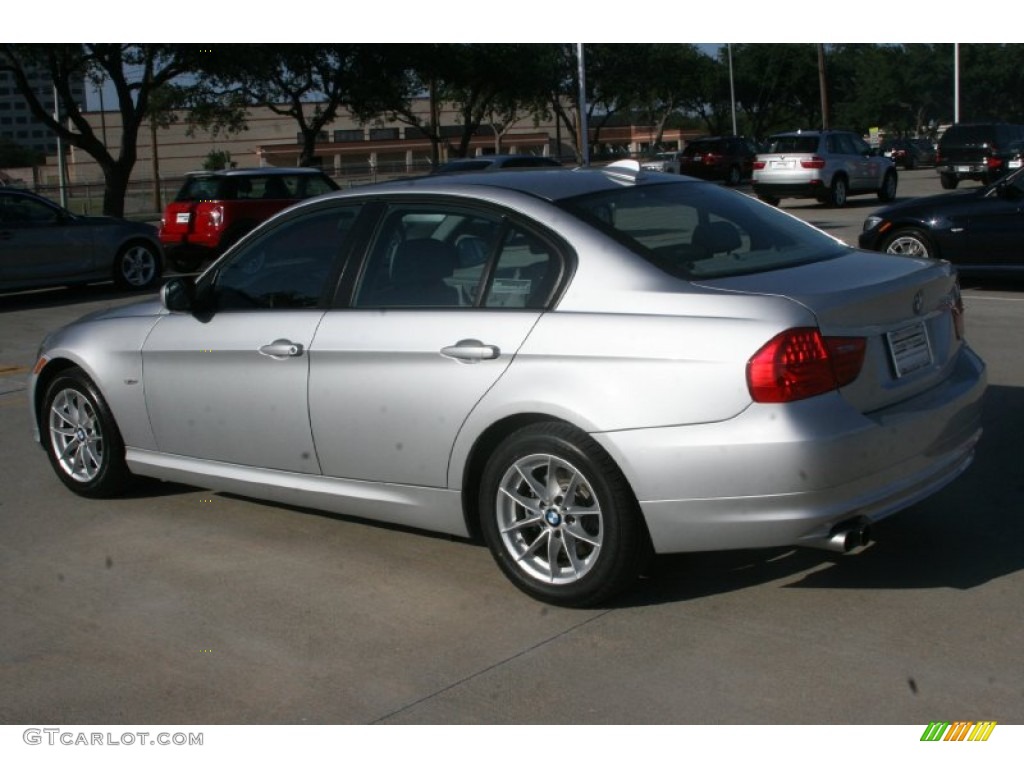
(211,393)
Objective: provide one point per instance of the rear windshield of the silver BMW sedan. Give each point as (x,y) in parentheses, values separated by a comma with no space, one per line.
(702,231)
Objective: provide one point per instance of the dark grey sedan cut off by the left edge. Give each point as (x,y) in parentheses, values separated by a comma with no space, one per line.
(41,244)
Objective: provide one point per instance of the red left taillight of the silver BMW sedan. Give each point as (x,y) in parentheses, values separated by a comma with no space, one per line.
(801,363)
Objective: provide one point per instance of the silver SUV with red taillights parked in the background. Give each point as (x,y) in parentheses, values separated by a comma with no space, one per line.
(827,165)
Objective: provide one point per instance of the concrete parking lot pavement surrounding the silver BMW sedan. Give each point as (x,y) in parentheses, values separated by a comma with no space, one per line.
(181,606)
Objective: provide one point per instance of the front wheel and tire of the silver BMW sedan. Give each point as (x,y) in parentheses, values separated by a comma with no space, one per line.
(81,439)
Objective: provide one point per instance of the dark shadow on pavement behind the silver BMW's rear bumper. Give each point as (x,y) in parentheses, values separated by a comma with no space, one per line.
(966,536)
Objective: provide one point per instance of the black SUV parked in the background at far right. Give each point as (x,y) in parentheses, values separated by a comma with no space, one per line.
(976,151)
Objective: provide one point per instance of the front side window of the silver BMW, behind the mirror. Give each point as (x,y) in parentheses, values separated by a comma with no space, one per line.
(287,268)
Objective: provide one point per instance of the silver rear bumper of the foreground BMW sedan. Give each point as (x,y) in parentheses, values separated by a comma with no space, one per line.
(787,476)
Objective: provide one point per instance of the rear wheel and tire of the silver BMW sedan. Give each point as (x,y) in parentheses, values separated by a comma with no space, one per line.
(573,552)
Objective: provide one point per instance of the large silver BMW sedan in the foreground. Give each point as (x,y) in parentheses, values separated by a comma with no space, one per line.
(580,366)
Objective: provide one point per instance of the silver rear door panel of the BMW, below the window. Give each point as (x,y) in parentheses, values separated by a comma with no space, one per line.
(387,403)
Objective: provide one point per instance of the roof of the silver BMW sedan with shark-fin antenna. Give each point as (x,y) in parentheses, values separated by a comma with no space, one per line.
(552,185)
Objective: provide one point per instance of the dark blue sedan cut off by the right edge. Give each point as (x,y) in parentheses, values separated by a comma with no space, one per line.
(977,230)
